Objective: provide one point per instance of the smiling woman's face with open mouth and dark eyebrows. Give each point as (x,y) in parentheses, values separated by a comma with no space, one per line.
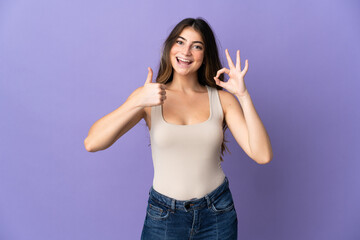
(187,53)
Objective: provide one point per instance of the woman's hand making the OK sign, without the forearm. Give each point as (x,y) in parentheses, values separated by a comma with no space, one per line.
(235,84)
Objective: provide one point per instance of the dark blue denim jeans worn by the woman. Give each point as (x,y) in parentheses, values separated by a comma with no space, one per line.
(211,217)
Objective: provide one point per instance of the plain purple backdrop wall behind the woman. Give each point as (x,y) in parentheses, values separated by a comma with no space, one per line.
(65,64)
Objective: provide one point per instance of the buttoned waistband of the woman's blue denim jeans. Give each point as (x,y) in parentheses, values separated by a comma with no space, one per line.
(192,204)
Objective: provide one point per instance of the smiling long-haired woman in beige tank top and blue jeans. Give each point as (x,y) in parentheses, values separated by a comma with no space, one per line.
(187,112)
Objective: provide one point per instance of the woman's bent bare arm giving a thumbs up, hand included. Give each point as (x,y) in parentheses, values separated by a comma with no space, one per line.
(108,129)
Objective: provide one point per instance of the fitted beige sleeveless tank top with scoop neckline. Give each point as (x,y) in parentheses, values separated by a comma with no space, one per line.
(186,158)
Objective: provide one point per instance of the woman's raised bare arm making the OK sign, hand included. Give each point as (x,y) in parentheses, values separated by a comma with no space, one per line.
(243,121)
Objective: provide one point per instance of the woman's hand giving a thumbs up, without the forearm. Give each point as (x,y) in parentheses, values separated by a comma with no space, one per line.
(152,94)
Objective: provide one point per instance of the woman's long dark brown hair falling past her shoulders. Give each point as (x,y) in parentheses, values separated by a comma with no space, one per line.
(207,70)
